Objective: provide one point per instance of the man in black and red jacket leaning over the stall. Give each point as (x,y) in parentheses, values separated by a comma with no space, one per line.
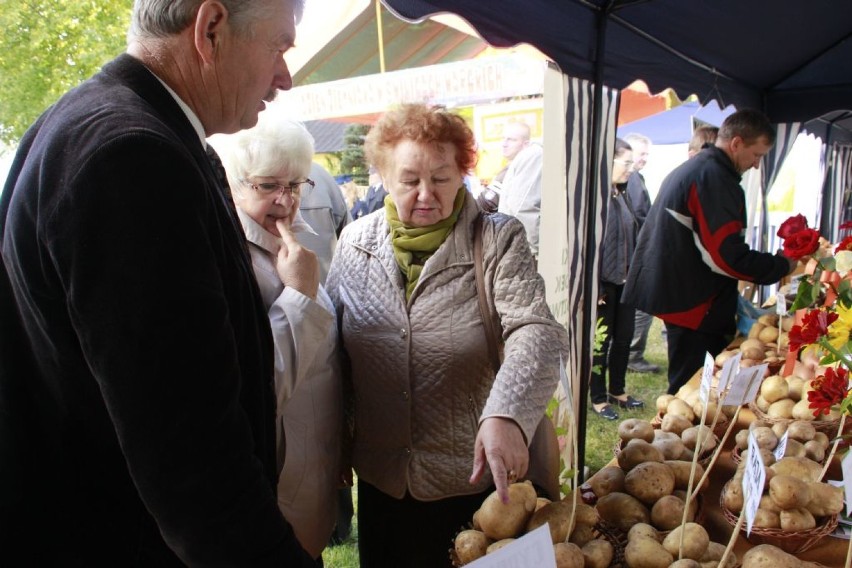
(691,251)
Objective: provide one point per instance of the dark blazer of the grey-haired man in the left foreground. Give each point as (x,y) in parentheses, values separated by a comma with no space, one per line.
(136,400)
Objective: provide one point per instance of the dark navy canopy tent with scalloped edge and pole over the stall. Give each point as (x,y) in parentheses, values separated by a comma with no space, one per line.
(791,59)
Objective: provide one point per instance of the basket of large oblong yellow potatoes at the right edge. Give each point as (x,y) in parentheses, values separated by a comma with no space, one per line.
(793,500)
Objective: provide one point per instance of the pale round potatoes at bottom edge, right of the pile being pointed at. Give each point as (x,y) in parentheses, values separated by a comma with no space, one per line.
(647,548)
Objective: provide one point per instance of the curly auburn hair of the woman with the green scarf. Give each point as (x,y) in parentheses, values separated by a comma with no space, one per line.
(423,124)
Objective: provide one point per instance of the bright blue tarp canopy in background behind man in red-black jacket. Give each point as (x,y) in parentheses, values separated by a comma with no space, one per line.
(675,126)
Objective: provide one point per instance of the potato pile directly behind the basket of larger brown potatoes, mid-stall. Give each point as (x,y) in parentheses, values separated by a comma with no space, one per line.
(676,439)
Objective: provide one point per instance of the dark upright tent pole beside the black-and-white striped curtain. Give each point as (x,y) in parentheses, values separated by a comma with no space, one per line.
(589,302)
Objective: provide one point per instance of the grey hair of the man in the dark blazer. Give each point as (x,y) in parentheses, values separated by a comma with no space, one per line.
(163,18)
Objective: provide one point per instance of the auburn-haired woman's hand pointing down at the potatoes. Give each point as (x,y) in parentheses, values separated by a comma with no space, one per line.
(500,445)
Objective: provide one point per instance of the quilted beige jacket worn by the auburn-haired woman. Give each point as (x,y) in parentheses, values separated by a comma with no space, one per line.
(420,369)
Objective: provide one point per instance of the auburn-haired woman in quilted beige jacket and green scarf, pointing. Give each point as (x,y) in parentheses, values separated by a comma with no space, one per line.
(433,429)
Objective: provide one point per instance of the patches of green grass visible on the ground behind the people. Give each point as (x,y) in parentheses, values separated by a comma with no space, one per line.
(601,436)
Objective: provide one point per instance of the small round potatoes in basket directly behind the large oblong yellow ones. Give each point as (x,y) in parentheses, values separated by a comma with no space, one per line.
(803,440)
